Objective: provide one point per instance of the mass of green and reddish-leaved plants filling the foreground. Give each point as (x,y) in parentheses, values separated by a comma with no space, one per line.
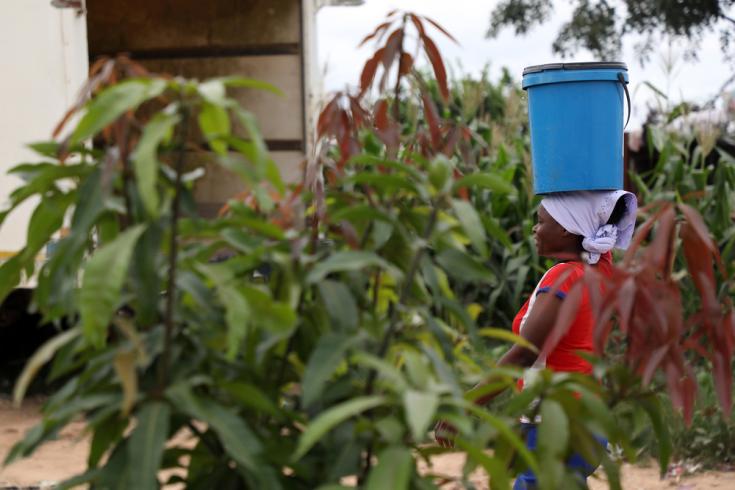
(353,310)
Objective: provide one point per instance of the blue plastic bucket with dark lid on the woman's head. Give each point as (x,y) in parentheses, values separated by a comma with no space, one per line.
(575,112)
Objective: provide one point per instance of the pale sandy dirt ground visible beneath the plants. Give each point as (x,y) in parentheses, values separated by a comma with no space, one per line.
(66,456)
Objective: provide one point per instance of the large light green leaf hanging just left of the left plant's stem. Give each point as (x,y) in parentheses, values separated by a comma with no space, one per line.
(102,283)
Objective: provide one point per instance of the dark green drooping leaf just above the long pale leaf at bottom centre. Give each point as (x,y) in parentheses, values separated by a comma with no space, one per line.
(324,360)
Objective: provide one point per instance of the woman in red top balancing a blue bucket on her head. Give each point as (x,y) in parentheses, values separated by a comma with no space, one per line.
(576,114)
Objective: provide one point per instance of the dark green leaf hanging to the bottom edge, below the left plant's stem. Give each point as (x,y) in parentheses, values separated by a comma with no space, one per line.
(145,449)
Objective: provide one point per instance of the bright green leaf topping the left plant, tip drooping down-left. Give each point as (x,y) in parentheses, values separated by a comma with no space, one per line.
(113,102)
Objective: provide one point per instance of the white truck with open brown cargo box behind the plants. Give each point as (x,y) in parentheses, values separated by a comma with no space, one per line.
(46,47)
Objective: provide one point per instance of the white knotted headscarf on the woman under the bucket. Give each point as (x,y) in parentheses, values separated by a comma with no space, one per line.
(586,213)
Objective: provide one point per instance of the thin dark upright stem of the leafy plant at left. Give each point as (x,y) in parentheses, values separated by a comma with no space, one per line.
(183,135)
